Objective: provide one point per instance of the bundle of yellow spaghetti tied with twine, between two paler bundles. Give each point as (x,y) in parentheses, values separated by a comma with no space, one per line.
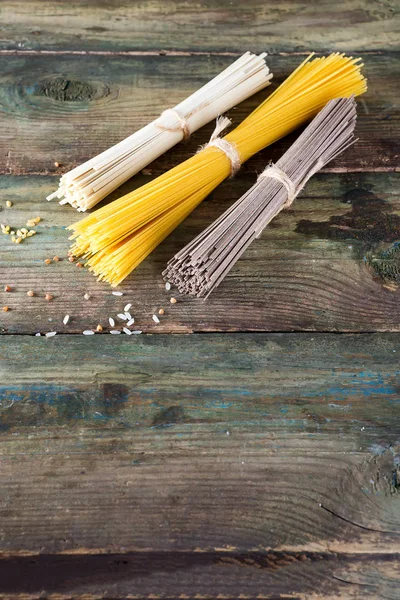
(116,238)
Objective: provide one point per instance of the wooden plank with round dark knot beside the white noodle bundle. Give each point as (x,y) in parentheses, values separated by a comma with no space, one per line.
(69,111)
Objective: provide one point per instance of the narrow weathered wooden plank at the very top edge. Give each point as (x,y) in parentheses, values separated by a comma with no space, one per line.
(206,25)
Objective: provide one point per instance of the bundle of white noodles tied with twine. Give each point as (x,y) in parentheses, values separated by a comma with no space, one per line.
(87,184)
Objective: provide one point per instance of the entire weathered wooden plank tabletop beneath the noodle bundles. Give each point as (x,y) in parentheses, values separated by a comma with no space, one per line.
(259,456)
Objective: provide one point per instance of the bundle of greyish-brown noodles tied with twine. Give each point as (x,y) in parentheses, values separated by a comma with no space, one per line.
(201,266)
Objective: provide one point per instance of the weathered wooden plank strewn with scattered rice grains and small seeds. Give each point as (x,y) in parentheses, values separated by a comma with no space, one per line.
(307,272)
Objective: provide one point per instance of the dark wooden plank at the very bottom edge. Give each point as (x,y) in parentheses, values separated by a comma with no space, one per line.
(220,575)
